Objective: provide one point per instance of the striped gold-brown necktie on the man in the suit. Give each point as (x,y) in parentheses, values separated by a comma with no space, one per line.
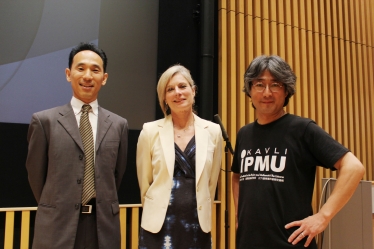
(85,130)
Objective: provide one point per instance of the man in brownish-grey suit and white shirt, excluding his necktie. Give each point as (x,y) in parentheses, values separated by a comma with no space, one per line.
(56,162)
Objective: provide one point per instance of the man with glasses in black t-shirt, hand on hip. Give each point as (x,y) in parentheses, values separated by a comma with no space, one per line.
(275,162)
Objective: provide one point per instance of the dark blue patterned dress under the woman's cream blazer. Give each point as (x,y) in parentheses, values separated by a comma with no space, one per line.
(181,228)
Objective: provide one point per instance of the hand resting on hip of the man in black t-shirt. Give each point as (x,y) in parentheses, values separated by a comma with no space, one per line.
(308,227)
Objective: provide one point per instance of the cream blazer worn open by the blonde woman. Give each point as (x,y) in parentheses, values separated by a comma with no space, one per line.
(155,159)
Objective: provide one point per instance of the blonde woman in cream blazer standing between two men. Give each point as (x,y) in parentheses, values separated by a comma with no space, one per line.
(178,162)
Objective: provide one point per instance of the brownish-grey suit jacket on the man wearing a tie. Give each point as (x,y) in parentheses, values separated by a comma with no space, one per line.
(55,165)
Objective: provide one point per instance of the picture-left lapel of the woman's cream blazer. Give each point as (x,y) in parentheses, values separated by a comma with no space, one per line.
(167,143)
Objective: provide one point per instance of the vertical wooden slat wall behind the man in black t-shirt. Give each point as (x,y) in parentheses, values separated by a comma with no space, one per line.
(329,45)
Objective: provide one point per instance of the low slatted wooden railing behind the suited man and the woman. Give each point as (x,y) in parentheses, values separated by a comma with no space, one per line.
(129,218)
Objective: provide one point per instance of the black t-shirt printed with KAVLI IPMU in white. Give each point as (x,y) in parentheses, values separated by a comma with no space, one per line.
(277,164)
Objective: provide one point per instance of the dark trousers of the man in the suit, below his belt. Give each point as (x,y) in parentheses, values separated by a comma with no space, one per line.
(87,231)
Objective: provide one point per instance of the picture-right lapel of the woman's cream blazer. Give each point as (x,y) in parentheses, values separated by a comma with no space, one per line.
(201,138)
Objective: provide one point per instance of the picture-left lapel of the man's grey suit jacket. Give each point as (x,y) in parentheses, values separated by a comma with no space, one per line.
(69,122)
